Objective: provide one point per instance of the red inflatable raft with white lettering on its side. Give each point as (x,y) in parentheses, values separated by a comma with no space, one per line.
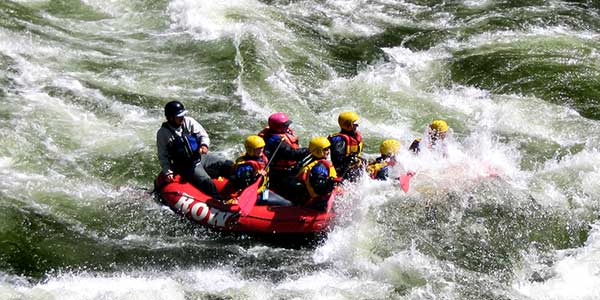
(244,216)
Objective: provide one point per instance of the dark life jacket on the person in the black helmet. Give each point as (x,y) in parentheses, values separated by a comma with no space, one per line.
(183,151)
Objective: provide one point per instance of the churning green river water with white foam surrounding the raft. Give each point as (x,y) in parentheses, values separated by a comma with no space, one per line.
(82,89)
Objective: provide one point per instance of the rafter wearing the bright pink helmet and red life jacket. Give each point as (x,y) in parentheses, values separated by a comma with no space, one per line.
(282,149)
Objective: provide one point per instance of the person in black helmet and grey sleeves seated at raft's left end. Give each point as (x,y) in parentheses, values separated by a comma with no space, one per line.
(182,145)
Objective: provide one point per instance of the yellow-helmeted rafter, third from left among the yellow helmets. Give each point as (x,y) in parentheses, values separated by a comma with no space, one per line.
(347,146)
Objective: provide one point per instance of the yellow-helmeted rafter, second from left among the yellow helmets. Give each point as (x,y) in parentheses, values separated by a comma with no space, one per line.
(317,174)
